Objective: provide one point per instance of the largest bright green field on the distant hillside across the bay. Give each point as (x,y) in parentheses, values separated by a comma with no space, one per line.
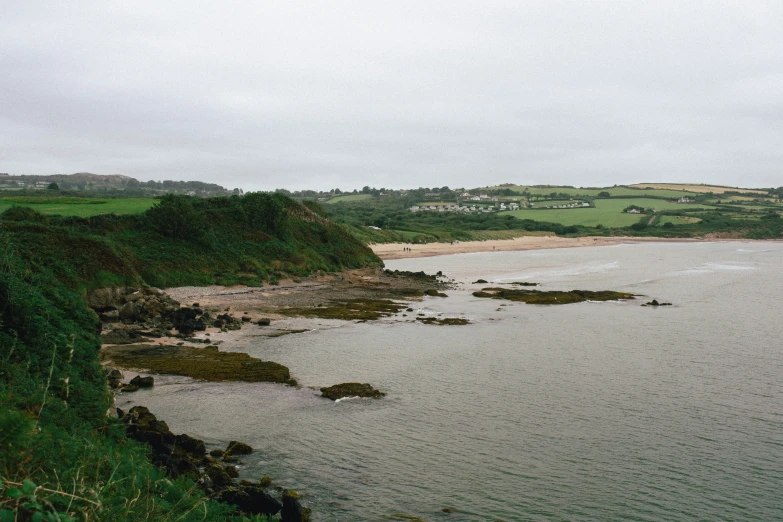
(607,212)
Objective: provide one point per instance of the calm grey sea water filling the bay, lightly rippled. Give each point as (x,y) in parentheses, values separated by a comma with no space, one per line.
(591,411)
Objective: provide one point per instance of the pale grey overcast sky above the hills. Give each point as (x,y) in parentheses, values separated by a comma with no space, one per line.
(263,95)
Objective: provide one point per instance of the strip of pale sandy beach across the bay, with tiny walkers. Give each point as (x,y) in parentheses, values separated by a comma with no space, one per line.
(398,250)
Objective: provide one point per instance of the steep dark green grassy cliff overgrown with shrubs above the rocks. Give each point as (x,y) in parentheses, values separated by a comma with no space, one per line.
(61,456)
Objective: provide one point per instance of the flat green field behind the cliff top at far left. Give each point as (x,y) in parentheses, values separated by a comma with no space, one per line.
(81,207)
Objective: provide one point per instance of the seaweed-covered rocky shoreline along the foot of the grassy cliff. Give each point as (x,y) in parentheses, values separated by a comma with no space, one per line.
(150,331)
